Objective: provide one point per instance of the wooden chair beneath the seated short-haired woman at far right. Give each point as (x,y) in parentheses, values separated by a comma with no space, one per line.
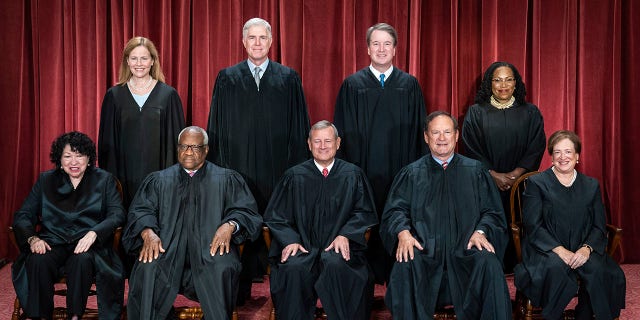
(524,307)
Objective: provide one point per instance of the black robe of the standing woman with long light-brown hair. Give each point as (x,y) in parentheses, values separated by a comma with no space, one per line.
(133,142)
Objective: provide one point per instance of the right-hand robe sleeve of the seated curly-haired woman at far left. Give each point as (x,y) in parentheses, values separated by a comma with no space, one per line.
(114,213)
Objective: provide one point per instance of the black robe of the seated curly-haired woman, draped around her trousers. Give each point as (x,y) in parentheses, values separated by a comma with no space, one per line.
(65,216)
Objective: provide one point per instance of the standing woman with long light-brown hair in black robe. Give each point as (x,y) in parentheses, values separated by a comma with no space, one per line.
(140,118)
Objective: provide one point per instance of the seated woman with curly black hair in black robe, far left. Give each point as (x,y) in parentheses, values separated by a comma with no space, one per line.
(68,220)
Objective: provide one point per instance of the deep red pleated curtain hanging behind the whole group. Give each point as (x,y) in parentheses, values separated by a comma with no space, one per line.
(579,61)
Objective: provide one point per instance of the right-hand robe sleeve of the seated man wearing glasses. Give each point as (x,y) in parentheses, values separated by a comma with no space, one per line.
(241,207)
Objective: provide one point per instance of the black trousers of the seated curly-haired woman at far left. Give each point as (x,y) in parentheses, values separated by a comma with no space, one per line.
(44,270)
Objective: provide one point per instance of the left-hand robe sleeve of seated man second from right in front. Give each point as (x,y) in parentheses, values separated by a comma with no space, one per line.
(397,210)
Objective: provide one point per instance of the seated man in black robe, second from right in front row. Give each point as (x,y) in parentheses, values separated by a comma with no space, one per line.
(448,208)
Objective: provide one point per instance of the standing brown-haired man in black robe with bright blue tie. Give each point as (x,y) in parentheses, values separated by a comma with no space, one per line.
(379,111)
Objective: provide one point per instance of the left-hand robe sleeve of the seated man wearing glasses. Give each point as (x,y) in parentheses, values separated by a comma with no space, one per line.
(143,213)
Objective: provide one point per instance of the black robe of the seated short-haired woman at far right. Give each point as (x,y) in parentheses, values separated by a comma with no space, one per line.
(556,215)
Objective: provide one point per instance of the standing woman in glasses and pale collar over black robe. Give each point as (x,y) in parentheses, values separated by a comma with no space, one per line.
(505,133)
